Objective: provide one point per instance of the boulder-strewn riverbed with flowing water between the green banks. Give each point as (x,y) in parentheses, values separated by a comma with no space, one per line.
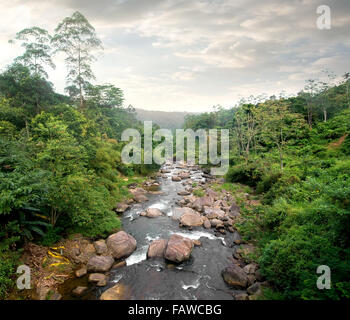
(194,212)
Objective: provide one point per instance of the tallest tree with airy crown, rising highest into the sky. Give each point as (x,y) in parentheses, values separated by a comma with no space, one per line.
(76,38)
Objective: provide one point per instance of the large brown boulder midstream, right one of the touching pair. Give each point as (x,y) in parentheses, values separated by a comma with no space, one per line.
(178,249)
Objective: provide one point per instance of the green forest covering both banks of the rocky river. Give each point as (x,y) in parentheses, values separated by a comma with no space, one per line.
(61,170)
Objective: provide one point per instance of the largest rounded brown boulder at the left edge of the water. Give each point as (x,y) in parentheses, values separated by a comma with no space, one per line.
(121,244)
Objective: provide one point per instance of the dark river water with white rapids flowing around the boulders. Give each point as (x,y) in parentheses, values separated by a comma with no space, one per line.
(197,278)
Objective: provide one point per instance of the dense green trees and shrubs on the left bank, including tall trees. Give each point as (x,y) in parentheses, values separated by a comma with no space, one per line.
(60,156)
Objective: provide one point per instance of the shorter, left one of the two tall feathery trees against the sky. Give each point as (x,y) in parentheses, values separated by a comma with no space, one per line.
(36,42)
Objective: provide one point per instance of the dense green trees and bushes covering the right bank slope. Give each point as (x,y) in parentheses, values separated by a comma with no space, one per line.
(294,153)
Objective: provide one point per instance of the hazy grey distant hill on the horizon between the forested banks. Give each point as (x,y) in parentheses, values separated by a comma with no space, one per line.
(166,120)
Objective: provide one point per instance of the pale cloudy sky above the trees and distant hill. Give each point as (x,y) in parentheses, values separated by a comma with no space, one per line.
(189,55)
